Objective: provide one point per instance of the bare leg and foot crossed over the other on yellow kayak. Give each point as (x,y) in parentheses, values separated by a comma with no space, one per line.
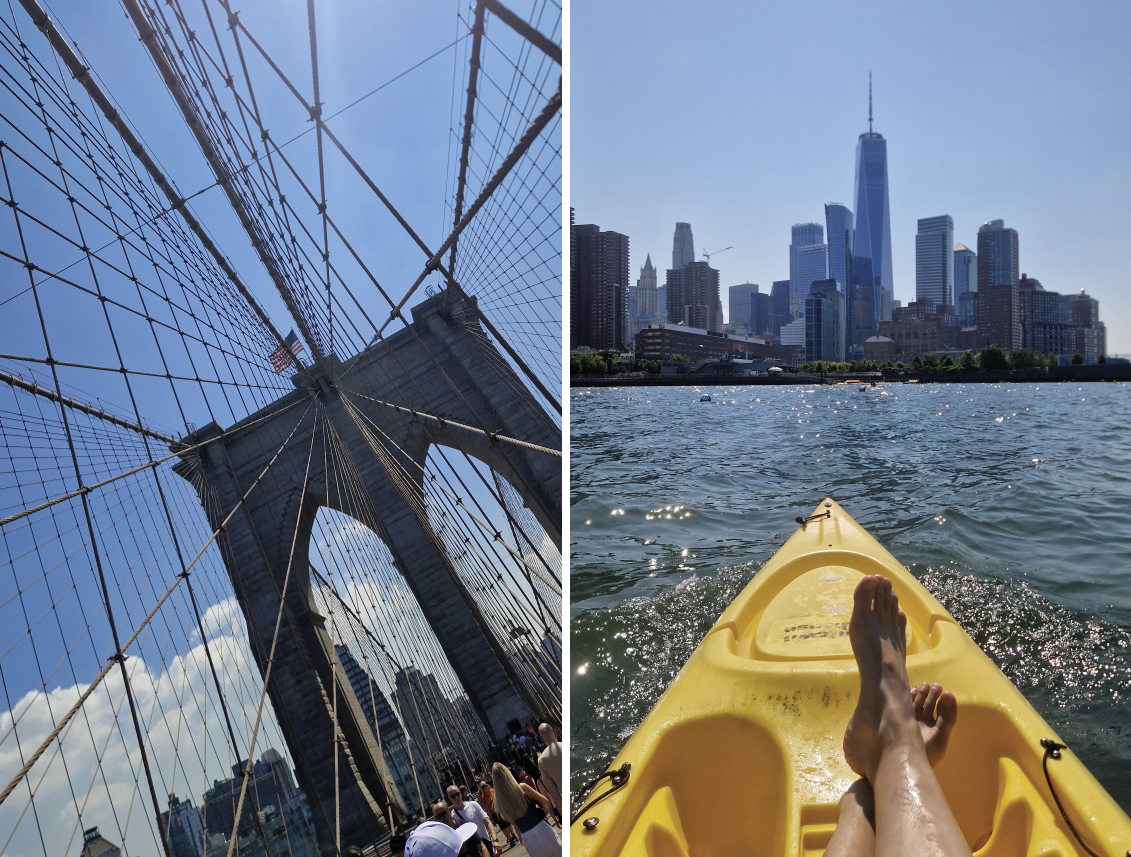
(884,741)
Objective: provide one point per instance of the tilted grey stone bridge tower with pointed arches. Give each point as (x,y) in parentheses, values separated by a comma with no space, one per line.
(257,542)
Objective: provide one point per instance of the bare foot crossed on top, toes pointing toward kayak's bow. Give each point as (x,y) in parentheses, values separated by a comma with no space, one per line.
(884,714)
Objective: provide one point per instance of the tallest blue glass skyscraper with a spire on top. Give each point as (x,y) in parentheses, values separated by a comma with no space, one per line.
(873,253)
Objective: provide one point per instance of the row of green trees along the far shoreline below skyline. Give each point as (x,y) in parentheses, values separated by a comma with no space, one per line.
(990,359)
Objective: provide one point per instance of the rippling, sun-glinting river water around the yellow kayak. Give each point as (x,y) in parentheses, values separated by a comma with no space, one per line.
(1011,504)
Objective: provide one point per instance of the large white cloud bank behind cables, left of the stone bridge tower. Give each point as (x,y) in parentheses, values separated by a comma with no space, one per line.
(187,746)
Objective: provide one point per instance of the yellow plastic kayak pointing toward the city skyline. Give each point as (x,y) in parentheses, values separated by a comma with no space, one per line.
(743,754)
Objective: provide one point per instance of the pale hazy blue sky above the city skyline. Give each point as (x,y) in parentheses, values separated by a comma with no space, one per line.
(743,119)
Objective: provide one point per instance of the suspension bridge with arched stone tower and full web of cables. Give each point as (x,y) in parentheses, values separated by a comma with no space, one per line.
(282,474)
